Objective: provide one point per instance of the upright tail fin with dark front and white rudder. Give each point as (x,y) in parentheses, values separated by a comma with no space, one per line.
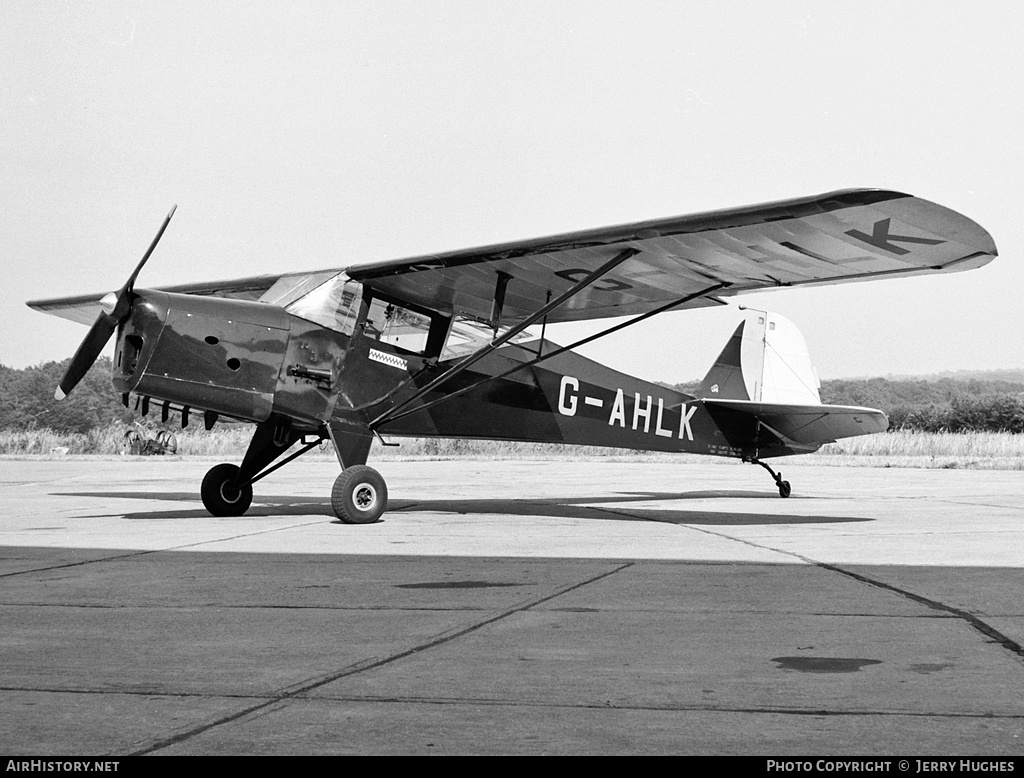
(765,361)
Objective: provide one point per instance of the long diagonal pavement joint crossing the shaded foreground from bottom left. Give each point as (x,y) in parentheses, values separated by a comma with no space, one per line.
(306,687)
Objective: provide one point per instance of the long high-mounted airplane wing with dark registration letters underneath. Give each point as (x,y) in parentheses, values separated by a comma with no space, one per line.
(847,236)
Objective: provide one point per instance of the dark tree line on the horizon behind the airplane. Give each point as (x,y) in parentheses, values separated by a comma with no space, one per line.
(946,405)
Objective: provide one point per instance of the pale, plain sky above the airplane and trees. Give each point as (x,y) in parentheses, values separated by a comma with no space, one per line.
(304,136)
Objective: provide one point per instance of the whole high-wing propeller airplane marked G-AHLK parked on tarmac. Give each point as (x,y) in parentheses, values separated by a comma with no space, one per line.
(441,345)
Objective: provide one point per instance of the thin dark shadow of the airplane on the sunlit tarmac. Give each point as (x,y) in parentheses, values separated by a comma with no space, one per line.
(613,507)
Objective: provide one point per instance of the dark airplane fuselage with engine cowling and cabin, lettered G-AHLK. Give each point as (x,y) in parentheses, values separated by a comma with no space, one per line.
(338,356)
